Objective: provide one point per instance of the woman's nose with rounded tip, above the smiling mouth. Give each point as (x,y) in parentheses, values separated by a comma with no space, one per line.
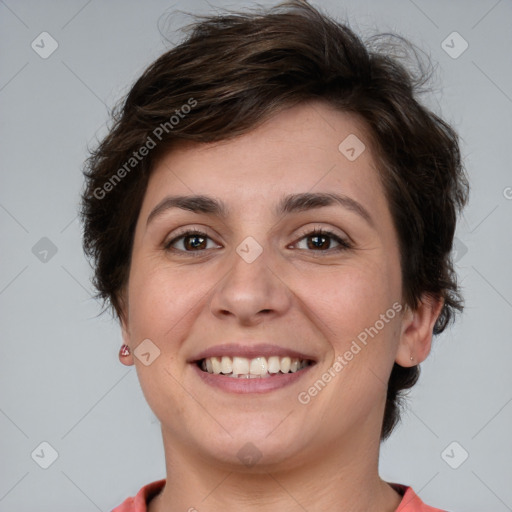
(251,292)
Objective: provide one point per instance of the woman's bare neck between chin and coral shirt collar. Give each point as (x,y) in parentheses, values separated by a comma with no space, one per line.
(343,477)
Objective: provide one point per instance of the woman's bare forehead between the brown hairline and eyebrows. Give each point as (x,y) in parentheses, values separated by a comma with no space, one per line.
(305,148)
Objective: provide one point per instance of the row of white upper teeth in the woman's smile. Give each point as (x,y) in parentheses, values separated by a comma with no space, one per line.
(257,367)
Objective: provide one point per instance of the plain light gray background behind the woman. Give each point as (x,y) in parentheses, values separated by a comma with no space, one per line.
(60,378)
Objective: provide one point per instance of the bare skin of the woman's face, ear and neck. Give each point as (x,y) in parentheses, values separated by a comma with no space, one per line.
(316,455)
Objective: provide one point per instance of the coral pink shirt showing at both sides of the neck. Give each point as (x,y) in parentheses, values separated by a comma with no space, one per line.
(410,501)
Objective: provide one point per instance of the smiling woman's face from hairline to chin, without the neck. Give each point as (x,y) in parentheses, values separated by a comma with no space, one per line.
(260,281)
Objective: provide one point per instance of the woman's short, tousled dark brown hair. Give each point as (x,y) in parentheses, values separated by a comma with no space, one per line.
(236,70)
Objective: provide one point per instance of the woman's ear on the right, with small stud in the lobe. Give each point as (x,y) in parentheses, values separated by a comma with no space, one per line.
(417,331)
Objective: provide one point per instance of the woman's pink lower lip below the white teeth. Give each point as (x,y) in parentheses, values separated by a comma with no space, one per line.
(243,385)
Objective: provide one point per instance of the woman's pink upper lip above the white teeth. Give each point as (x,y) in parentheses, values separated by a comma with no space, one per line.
(249,351)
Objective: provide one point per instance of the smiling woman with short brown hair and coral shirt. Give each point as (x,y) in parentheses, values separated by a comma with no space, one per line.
(271,218)
